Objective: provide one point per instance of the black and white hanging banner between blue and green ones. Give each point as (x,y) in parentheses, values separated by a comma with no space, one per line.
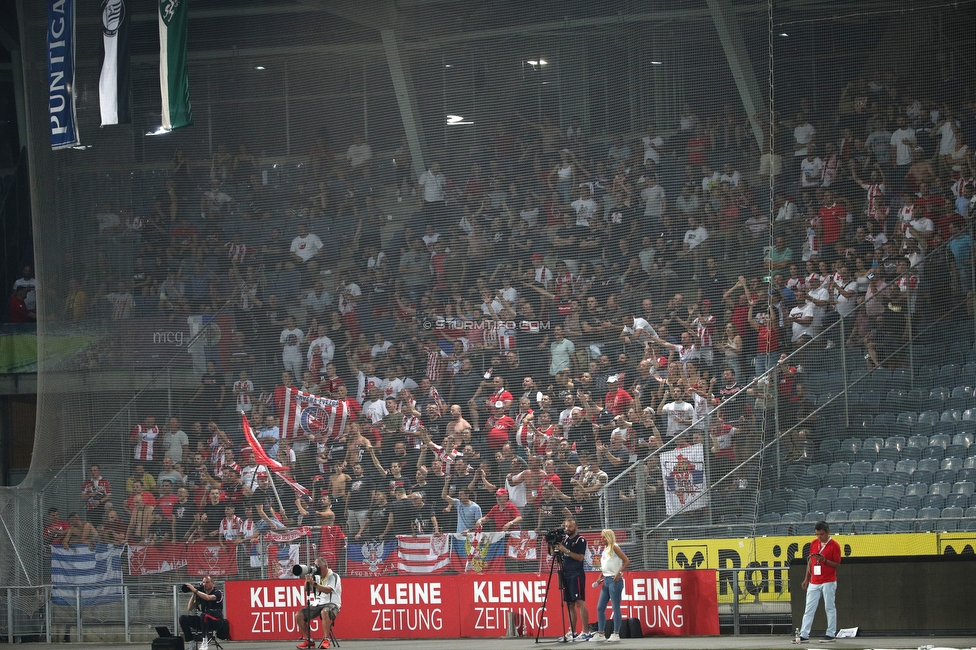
(113,83)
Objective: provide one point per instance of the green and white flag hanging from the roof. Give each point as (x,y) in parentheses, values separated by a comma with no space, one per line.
(173,81)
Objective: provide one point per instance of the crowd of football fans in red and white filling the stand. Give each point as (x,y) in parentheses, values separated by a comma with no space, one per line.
(516,344)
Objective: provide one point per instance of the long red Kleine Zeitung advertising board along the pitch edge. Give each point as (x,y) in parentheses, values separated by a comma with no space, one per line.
(668,603)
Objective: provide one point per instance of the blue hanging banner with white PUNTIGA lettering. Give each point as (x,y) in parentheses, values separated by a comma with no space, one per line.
(61,73)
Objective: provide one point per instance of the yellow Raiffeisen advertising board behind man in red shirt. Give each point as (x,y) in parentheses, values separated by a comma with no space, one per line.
(769,558)
